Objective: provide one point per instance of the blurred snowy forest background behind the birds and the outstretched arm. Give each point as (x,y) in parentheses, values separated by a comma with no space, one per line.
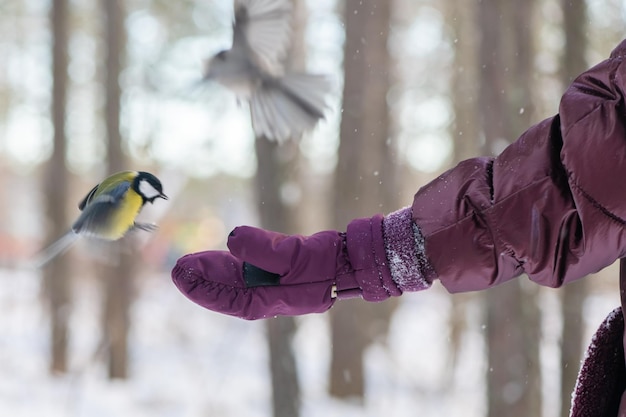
(92,87)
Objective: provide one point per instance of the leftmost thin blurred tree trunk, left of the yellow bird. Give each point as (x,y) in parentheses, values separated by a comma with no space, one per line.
(57,273)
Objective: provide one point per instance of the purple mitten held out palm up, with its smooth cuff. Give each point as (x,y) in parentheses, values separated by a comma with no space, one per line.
(267,273)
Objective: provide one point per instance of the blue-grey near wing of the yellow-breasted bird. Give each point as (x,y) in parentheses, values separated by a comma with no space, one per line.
(98,211)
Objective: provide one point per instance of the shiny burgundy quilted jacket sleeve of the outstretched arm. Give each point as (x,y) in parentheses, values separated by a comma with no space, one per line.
(552,205)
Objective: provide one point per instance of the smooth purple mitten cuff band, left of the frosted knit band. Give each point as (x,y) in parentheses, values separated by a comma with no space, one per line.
(366,251)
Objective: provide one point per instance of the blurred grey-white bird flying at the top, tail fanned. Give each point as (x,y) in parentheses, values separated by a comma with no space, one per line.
(283,104)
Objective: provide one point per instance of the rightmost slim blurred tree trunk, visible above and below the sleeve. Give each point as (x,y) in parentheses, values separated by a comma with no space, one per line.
(572,295)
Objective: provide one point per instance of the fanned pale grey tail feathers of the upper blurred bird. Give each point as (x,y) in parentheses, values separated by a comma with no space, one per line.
(286,107)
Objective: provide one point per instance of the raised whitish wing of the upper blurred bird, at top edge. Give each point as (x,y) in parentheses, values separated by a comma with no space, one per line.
(263,26)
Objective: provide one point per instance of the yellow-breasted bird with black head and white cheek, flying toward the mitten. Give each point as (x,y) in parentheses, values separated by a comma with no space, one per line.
(109,210)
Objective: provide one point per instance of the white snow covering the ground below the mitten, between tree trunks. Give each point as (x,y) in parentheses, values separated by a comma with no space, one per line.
(188,362)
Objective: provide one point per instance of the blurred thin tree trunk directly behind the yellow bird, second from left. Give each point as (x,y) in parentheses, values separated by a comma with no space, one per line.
(118,277)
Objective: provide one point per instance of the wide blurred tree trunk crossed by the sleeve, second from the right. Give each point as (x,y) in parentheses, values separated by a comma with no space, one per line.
(513,318)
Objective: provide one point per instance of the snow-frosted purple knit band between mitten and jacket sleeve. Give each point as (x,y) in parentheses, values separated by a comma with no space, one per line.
(404,246)
